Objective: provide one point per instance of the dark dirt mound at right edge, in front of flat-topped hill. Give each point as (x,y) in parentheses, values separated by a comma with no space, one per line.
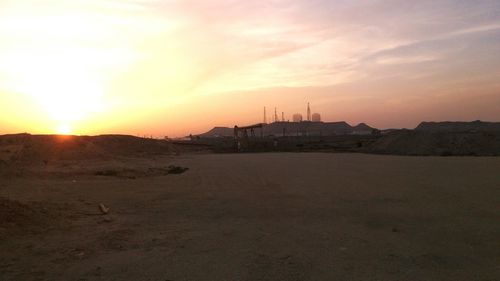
(418,142)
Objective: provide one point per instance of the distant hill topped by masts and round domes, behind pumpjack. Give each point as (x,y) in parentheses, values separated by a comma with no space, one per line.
(298,129)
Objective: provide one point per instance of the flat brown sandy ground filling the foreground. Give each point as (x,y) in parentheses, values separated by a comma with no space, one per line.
(268,216)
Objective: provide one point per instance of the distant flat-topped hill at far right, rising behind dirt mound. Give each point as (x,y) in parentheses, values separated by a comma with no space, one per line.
(478,126)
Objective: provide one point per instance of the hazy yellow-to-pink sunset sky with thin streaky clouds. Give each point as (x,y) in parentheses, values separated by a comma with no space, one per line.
(175,67)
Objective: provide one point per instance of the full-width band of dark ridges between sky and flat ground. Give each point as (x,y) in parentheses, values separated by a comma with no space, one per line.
(428,138)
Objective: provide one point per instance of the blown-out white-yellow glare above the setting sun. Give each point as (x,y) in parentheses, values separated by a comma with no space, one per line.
(61,61)
